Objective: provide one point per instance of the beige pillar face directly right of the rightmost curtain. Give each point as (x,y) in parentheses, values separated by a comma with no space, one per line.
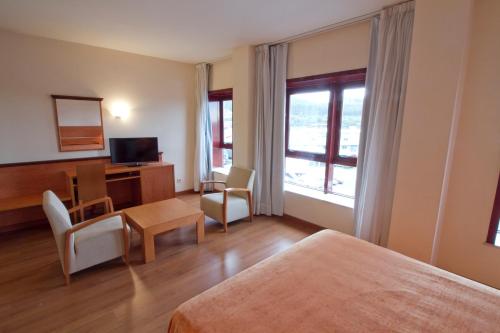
(437,60)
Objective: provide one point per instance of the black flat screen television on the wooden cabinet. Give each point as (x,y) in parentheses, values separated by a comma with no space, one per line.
(133,151)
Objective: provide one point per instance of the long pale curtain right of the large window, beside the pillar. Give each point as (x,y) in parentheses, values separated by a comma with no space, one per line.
(382,121)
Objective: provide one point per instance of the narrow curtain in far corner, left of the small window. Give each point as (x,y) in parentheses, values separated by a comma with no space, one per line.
(203,150)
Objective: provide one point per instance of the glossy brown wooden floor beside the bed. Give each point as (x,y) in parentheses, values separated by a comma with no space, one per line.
(113,297)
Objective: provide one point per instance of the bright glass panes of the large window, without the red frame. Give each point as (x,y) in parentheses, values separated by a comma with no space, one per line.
(308,128)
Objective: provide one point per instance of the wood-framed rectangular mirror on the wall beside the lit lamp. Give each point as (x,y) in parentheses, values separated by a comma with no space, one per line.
(79,122)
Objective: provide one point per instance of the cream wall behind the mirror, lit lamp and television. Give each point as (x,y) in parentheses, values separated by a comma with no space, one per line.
(160,93)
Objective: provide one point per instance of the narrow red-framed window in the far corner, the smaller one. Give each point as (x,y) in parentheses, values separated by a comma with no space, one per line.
(220,104)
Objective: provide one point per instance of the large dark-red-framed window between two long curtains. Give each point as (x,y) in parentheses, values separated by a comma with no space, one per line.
(323,125)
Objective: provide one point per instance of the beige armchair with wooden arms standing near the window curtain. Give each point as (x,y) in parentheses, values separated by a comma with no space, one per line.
(235,202)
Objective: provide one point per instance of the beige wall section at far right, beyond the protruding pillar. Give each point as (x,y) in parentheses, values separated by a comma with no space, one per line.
(476,162)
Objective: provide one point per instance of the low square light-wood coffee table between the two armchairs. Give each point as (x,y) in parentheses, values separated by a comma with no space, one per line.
(158,217)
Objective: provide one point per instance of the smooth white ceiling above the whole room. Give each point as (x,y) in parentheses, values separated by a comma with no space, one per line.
(184,30)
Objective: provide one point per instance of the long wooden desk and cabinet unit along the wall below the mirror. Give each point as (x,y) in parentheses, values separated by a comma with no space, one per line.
(23,185)
